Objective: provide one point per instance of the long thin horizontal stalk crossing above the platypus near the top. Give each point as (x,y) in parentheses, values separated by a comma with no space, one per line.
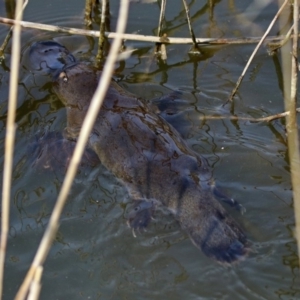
(143,38)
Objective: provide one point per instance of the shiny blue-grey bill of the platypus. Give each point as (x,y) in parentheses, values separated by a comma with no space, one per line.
(49,57)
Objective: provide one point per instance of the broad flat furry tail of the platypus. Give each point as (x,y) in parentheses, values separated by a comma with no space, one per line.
(213,230)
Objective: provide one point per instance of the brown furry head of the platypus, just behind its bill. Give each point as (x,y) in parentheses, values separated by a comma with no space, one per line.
(75,85)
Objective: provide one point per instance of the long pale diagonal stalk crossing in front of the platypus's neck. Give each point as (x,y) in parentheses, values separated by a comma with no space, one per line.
(82,139)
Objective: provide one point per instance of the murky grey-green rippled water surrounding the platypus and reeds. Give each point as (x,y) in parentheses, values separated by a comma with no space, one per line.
(95,255)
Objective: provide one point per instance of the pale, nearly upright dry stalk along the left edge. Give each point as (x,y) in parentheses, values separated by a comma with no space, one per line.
(10,138)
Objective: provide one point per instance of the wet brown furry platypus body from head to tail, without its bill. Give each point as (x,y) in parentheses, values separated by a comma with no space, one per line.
(151,158)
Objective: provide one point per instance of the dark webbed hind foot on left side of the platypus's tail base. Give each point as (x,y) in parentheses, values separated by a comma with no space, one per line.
(140,214)
